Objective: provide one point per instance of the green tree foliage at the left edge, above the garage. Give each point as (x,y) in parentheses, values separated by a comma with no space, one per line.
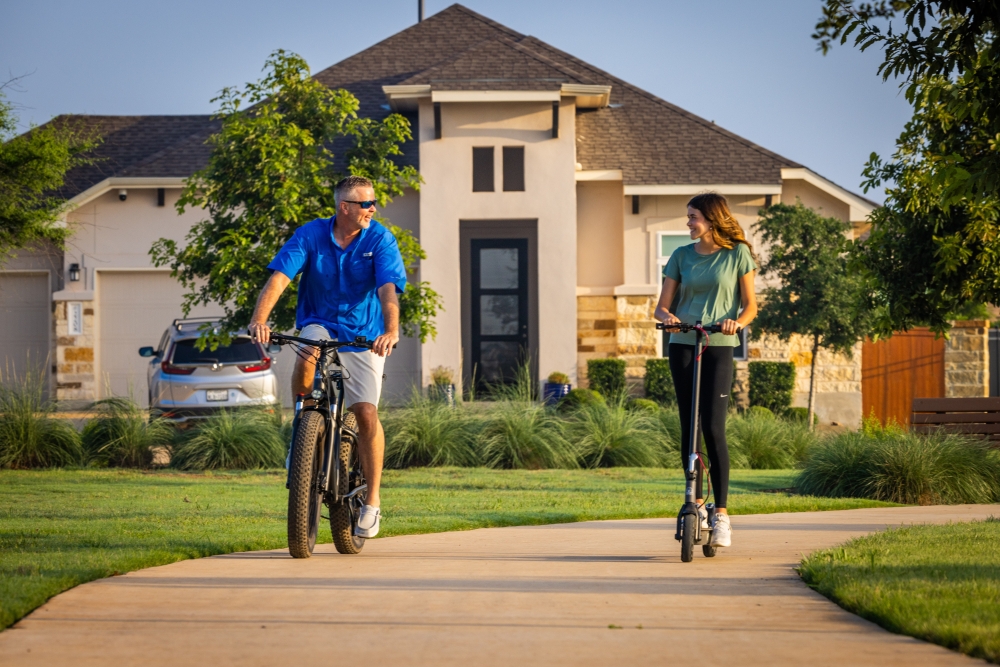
(33,167)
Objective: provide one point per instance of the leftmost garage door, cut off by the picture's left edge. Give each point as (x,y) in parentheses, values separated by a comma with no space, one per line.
(25,306)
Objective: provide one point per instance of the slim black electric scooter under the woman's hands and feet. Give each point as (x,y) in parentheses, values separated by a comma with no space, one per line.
(689,531)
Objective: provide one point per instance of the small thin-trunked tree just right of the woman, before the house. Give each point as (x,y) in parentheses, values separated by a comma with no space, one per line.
(819,296)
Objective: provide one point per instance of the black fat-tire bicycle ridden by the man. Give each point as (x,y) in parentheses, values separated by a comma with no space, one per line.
(324,465)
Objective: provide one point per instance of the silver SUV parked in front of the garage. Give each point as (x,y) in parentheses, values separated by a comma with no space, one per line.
(187,383)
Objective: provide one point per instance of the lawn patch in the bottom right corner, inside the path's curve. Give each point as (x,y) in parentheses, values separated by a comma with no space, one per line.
(938,583)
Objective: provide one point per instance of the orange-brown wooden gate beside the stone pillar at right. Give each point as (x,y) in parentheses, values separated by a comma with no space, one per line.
(897,370)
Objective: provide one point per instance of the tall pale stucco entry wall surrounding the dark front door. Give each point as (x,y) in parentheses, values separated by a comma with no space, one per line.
(447,198)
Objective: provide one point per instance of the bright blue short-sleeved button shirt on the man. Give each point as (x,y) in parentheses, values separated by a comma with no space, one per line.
(338,286)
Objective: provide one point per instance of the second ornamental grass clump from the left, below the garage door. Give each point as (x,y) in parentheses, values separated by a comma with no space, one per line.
(121,434)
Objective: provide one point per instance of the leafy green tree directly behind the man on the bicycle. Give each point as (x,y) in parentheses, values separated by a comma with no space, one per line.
(271,170)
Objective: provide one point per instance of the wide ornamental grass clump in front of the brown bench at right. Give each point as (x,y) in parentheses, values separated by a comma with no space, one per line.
(901,467)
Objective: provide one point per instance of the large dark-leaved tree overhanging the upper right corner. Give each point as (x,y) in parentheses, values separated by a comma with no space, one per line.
(935,244)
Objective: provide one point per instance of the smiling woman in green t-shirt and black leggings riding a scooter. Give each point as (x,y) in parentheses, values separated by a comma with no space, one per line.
(711,281)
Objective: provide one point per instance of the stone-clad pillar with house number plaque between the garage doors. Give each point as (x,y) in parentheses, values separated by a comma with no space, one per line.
(74,367)
